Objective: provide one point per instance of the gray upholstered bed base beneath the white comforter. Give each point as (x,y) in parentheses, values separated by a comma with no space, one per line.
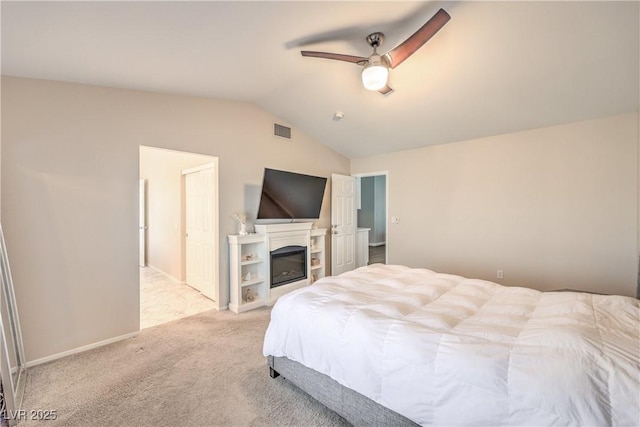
(350,405)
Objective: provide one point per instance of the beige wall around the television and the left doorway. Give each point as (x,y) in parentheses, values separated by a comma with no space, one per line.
(70,195)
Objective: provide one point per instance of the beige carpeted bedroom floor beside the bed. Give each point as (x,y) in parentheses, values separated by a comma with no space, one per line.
(204,370)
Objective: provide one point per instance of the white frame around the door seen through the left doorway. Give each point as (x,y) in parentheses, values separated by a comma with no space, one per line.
(215,258)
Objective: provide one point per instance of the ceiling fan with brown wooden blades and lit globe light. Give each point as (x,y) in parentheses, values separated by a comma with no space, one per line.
(375,71)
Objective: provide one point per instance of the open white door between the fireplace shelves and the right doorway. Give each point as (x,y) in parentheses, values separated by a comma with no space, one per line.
(343,223)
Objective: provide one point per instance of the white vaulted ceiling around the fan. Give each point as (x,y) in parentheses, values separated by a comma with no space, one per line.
(496,67)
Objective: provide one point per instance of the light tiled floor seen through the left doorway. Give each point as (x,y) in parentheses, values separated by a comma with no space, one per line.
(163,299)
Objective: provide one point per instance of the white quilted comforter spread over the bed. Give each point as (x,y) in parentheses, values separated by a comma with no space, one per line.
(445,350)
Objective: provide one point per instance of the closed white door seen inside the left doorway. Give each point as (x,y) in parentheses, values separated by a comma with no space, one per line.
(201,223)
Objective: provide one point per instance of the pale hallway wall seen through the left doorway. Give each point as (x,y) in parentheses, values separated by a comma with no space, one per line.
(162,171)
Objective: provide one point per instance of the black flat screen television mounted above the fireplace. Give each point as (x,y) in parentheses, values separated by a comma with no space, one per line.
(289,195)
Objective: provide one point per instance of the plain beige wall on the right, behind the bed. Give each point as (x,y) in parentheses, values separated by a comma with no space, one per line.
(552,208)
